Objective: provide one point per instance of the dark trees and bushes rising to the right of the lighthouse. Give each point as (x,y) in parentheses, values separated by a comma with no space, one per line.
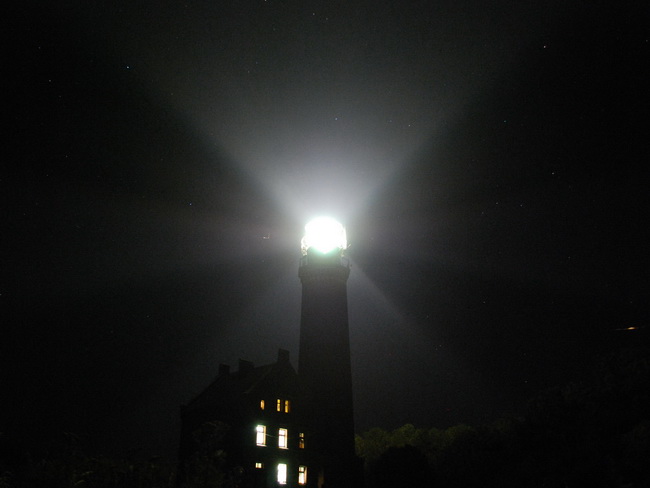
(591,433)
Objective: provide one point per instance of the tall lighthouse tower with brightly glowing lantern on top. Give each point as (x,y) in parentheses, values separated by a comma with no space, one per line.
(324,368)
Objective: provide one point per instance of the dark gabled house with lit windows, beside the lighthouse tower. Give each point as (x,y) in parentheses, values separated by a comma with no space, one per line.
(243,426)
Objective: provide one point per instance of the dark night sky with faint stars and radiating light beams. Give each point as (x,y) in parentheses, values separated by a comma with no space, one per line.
(489,160)
